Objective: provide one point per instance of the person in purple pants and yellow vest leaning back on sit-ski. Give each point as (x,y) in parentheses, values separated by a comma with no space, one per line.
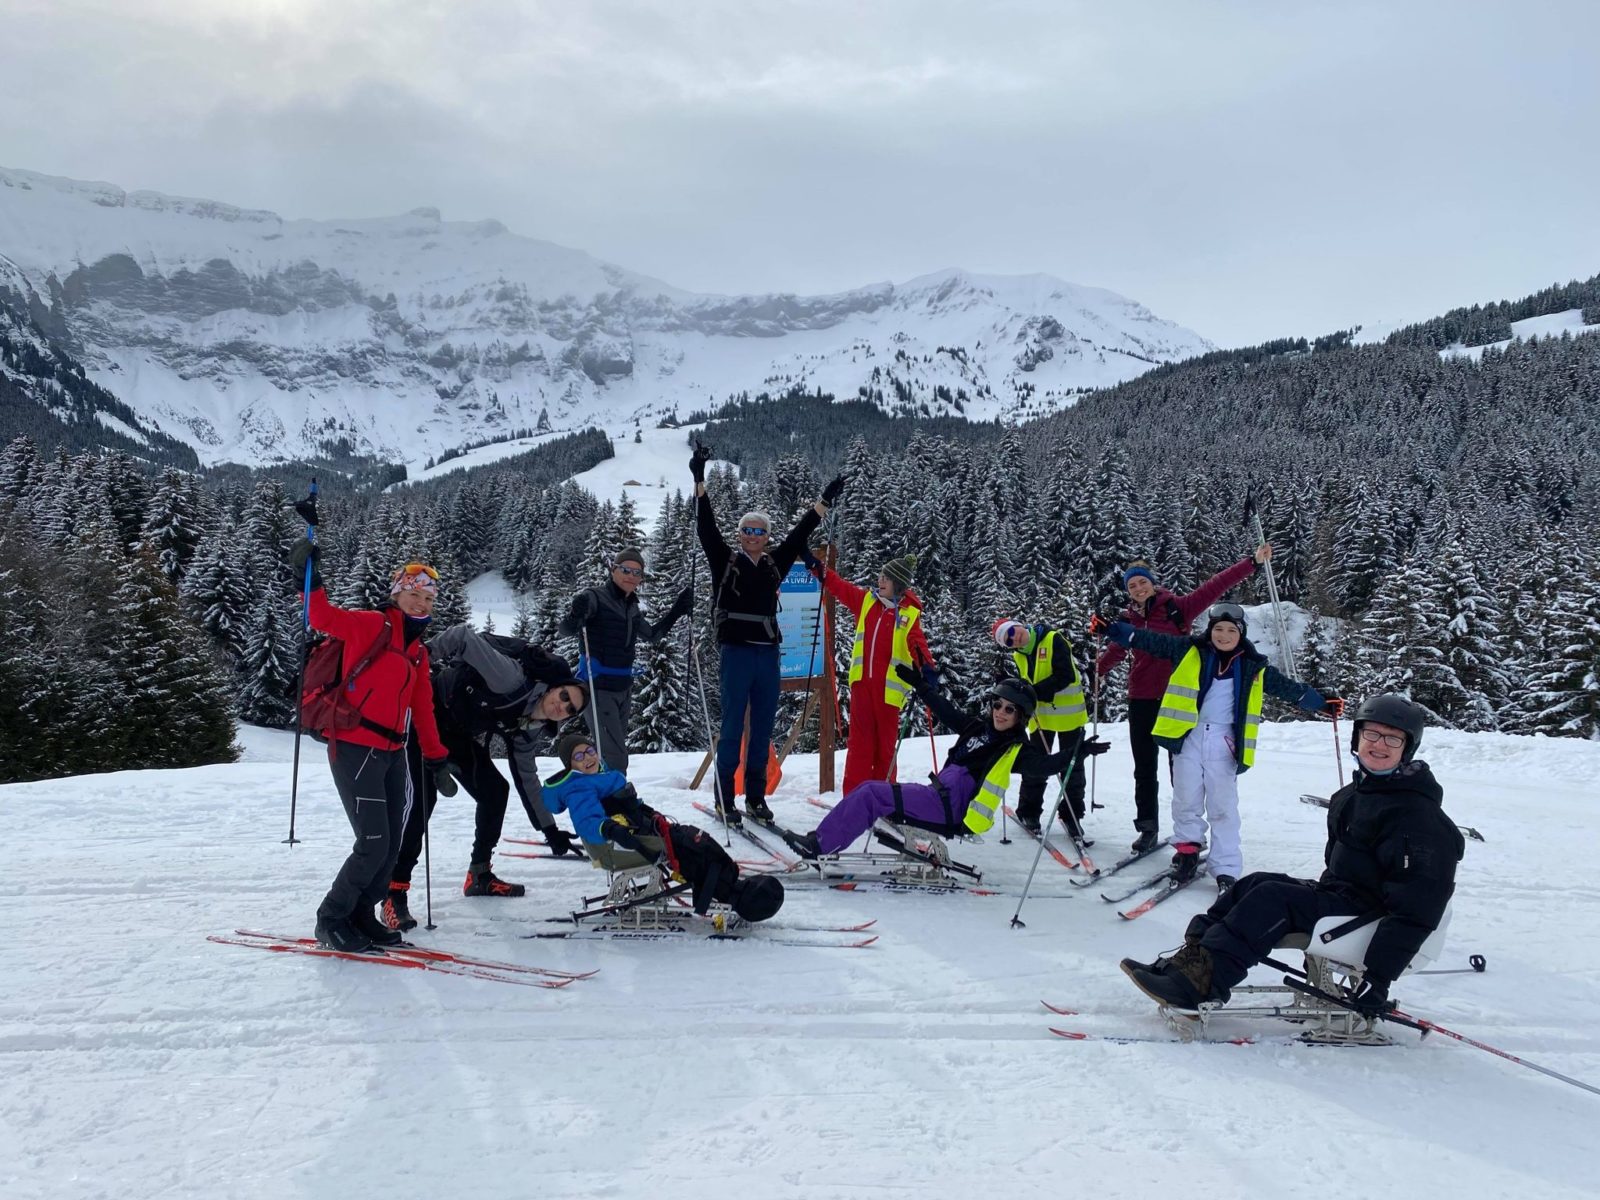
(969,791)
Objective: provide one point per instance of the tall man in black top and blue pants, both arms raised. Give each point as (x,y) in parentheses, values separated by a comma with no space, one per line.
(745,614)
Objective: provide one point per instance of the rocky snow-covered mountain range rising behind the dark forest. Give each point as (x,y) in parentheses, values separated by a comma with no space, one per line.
(254,338)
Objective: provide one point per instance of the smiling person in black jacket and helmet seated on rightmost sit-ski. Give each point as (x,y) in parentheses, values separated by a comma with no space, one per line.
(1391,857)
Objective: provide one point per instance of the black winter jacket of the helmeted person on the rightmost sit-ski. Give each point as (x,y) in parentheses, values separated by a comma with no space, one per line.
(1393,850)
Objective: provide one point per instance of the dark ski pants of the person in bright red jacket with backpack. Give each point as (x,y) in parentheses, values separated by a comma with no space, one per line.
(377,791)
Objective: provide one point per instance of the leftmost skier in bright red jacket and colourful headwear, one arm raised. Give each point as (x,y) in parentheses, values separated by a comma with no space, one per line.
(369,761)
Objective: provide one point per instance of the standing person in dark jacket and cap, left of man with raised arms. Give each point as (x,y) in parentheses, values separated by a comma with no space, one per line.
(614,623)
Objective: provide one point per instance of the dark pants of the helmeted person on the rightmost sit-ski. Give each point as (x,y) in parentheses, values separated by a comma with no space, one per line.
(1247,922)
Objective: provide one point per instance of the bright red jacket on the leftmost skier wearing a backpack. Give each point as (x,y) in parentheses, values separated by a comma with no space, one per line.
(393,689)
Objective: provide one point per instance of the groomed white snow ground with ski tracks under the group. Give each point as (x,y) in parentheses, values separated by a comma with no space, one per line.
(145,1062)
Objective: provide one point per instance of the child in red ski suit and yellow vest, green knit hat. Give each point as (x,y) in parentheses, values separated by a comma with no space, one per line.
(889,618)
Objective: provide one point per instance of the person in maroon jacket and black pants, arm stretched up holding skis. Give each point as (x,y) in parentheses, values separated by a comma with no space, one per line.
(1153,607)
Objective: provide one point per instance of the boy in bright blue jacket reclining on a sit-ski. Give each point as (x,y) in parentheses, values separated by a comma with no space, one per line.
(620,833)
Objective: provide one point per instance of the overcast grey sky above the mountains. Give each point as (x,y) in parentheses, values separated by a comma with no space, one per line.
(1250,170)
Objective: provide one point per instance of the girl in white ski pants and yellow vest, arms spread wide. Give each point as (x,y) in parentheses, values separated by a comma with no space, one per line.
(1209,719)
